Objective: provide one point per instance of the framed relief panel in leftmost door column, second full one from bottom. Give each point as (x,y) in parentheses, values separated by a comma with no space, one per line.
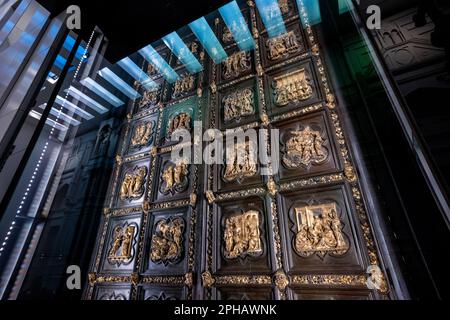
(132,182)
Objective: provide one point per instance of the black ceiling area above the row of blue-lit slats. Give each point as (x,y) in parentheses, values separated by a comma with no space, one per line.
(132,24)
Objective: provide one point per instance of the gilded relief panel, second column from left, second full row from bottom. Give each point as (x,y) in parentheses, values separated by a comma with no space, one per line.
(173,179)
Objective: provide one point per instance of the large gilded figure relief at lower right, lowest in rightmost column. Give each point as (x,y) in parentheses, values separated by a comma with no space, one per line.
(319,230)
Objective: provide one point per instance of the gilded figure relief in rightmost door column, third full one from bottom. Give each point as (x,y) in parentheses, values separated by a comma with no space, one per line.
(291,88)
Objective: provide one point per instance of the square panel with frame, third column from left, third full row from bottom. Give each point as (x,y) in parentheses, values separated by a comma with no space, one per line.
(238,105)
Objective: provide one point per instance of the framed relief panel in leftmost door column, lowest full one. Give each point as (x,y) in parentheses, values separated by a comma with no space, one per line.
(121,245)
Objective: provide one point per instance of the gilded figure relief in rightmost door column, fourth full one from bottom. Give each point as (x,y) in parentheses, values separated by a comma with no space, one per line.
(283,45)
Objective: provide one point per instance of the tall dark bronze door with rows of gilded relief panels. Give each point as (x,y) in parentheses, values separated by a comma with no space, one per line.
(194,231)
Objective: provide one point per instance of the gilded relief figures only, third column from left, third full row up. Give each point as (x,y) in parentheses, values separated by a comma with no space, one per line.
(238,104)
